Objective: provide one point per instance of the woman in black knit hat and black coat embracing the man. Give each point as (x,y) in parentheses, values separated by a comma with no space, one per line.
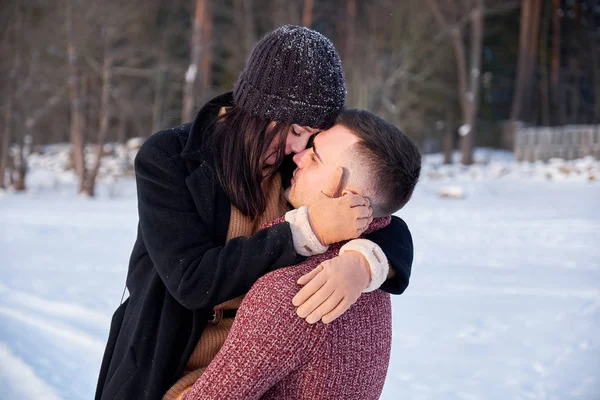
(204,189)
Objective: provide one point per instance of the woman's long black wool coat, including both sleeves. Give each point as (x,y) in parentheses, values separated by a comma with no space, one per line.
(181,266)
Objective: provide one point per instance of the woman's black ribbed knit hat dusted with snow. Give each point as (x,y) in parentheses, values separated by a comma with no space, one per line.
(293,75)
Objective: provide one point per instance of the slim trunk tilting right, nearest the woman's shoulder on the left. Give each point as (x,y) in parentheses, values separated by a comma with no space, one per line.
(105,116)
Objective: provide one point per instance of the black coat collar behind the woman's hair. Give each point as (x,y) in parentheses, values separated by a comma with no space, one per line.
(204,120)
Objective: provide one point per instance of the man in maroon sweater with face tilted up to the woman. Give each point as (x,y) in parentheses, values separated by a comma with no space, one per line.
(272,354)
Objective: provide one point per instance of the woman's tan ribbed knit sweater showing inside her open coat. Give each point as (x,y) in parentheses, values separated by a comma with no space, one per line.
(214,336)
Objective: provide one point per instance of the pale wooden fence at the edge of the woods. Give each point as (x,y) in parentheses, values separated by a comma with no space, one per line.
(567,142)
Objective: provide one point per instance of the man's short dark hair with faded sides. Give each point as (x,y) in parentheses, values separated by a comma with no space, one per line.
(390,158)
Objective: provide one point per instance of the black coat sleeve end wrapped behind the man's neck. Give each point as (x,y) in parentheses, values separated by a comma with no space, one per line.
(396,242)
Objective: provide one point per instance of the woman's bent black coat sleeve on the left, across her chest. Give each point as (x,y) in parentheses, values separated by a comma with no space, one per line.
(179,237)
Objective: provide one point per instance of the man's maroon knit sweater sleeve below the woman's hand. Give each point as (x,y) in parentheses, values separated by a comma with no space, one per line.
(266,343)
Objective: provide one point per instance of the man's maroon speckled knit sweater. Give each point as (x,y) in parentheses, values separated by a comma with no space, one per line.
(271,353)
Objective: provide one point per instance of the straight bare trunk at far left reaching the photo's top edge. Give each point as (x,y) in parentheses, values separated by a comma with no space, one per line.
(74,83)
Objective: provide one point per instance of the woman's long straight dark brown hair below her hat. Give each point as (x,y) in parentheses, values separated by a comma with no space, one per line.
(238,143)
